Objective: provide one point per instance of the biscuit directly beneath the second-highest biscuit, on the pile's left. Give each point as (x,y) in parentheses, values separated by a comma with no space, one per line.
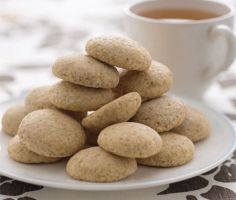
(73,97)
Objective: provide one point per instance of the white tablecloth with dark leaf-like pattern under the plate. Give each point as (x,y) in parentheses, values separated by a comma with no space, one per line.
(34,33)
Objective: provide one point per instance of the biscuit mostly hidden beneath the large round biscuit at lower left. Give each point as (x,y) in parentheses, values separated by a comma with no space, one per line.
(18,152)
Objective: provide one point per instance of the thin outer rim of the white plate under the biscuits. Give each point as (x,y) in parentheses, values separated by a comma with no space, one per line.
(133,186)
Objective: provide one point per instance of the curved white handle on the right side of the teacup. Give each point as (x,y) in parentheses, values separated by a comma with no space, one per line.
(227,33)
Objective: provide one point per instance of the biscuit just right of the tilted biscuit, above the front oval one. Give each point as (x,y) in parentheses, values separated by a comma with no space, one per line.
(161,114)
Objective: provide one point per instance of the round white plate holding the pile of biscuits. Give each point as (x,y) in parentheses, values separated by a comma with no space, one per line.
(209,153)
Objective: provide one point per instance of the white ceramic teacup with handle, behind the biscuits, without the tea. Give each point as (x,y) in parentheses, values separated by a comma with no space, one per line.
(195,50)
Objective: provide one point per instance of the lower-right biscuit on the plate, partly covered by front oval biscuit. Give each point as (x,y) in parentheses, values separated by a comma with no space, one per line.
(176,150)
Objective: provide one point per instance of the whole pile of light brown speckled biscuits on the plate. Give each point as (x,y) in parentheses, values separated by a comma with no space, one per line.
(107,121)
